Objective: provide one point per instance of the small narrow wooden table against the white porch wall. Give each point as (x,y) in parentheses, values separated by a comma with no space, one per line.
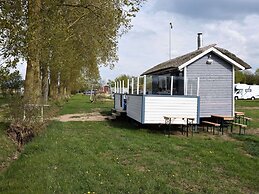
(186,121)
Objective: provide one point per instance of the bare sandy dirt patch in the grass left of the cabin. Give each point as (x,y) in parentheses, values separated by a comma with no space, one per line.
(94,116)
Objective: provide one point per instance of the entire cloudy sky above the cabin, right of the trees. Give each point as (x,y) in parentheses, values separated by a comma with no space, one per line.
(231,24)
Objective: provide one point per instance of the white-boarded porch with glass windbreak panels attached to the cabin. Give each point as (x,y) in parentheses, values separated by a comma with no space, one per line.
(147,99)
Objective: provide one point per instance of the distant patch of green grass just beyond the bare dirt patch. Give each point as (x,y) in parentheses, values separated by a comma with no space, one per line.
(81,104)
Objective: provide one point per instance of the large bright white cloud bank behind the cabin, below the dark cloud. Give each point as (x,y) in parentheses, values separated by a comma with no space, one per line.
(147,43)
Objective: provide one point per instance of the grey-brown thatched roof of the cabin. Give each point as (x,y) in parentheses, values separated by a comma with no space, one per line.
(178,61)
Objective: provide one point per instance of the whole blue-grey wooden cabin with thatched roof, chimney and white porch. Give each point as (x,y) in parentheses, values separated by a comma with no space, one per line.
(197,84)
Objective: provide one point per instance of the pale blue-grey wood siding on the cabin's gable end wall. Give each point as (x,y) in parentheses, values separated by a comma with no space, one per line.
(216,85)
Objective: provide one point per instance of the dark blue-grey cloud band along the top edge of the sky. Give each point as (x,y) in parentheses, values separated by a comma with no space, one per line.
(208,9)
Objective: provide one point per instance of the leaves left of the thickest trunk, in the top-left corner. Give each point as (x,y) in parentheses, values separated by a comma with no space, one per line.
(13,28)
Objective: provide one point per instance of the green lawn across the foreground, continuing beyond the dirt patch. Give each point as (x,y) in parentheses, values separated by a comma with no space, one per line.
(117,157)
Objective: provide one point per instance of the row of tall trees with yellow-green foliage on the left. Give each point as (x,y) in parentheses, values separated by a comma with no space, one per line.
(64,41)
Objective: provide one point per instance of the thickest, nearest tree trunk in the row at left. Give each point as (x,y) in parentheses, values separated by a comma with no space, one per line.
(32,85)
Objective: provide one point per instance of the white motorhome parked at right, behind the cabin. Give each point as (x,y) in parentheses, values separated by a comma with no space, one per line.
(244,91)
